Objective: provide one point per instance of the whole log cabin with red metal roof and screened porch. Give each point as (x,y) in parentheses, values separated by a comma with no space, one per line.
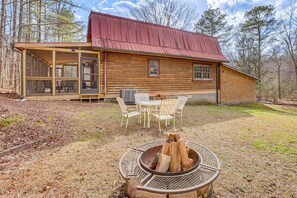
(124,54)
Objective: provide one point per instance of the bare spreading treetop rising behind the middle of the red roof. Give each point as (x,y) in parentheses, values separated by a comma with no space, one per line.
(173,13)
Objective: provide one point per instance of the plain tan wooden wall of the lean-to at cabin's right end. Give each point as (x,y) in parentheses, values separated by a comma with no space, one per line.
(236,87)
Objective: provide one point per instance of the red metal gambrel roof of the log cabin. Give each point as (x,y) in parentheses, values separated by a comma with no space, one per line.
(118,33)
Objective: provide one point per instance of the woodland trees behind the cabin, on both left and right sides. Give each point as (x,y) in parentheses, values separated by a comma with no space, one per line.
(264,44)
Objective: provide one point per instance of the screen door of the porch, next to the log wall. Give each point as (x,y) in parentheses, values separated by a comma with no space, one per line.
(89,75)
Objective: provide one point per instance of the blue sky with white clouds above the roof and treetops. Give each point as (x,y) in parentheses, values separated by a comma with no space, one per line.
(234,8)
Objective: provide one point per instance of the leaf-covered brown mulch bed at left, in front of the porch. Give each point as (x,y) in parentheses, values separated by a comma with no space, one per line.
(21,122)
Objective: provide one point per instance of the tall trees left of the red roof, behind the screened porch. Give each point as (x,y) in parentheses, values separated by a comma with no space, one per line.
(33,21)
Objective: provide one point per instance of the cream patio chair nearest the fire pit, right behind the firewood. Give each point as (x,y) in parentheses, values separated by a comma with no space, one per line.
(166,112)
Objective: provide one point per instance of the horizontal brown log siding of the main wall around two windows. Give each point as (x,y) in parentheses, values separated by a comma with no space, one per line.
(131,71)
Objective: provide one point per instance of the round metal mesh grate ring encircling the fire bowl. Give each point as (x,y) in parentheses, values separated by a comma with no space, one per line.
(199,178)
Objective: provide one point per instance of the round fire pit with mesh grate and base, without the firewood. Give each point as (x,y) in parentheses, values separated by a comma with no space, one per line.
(144,182)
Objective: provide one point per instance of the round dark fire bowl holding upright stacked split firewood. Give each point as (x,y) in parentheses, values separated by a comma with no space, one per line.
(171,158)
